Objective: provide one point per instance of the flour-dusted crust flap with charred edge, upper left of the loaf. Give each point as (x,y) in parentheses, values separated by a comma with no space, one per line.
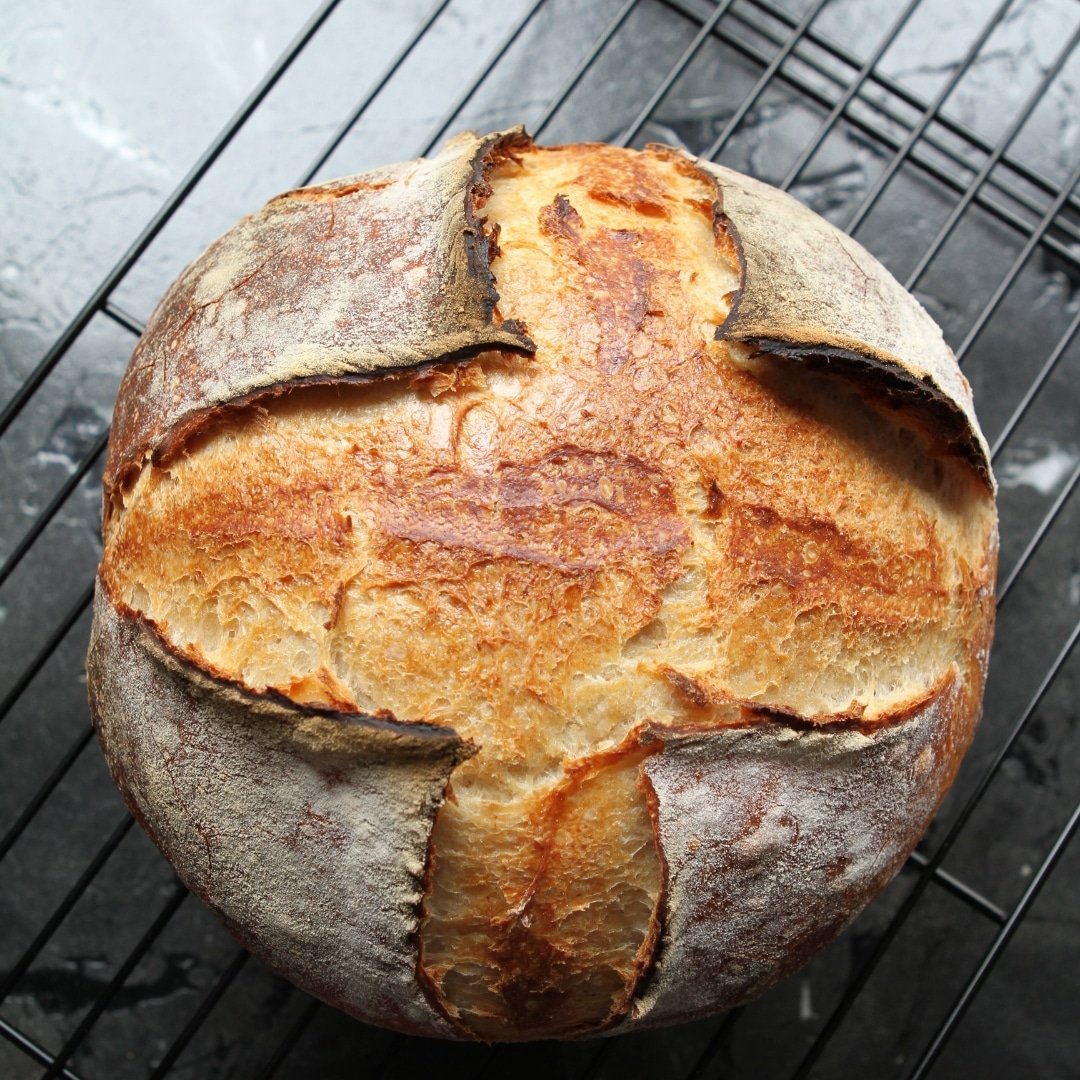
(395,269)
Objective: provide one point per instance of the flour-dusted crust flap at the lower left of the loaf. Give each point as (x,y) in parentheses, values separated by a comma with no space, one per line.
(305,831)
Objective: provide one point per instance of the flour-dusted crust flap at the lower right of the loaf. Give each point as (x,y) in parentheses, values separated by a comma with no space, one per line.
(782,838)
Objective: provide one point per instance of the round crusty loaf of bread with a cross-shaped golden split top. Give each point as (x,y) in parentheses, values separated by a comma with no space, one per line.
(546,592)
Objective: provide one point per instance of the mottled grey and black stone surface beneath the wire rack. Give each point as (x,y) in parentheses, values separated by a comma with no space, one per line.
(105,106)
